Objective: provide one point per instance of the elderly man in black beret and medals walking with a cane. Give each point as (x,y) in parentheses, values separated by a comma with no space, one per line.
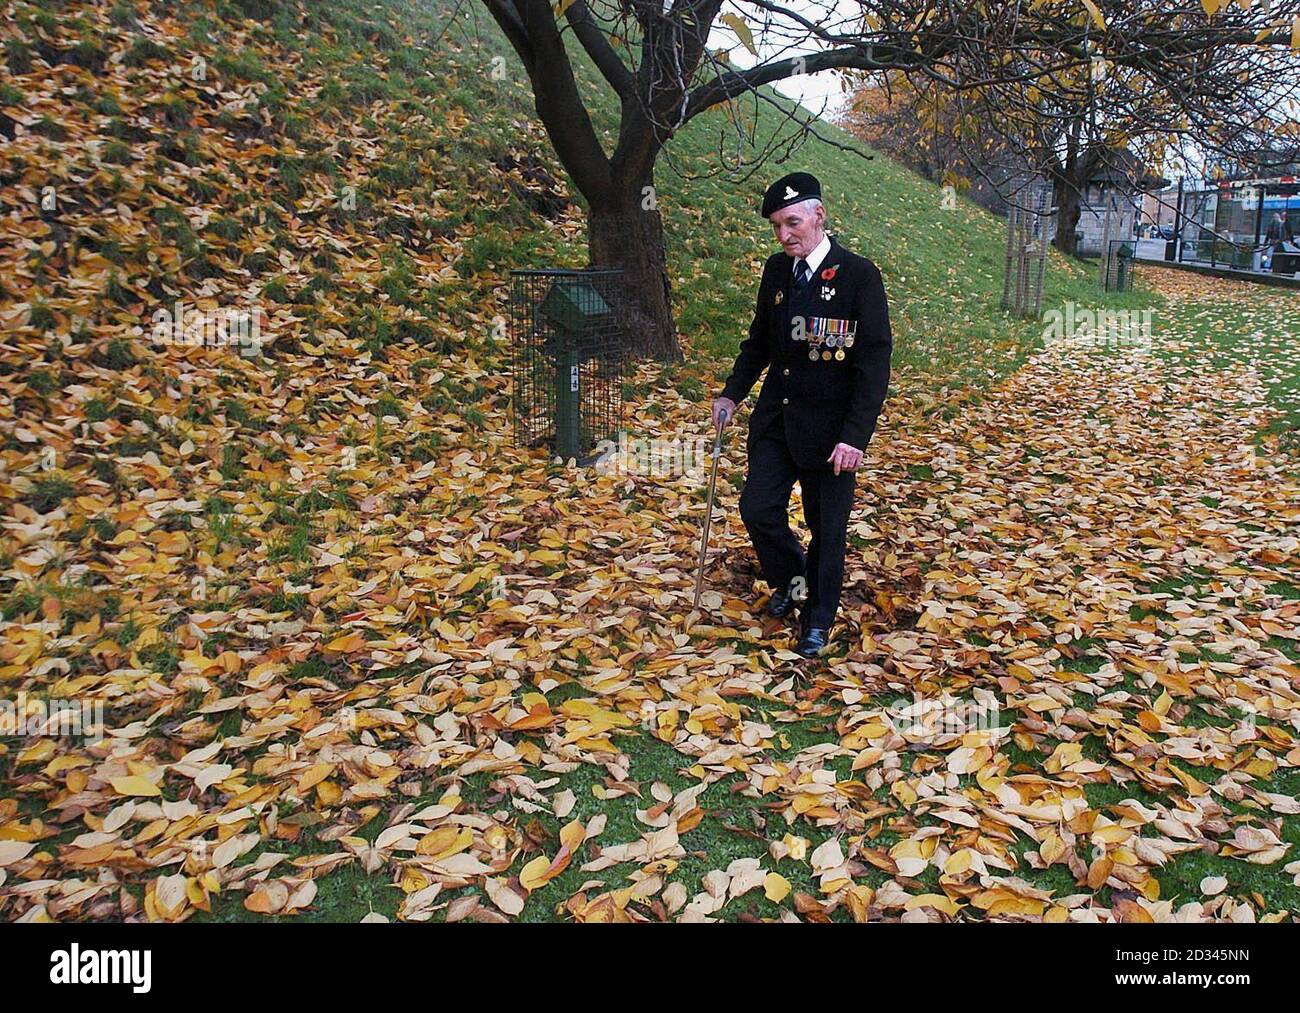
(822,331)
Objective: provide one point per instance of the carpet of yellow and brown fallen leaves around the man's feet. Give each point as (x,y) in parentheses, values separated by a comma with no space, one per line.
(1032,556)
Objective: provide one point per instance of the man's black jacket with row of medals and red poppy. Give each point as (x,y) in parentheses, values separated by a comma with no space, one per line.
(827,357)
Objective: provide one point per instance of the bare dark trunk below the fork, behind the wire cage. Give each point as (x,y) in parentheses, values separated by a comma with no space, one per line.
(630,239)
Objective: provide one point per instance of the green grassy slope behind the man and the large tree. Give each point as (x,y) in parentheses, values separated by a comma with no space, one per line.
(439,107)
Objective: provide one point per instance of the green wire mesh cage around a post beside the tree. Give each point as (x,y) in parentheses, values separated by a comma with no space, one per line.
(569,356)
